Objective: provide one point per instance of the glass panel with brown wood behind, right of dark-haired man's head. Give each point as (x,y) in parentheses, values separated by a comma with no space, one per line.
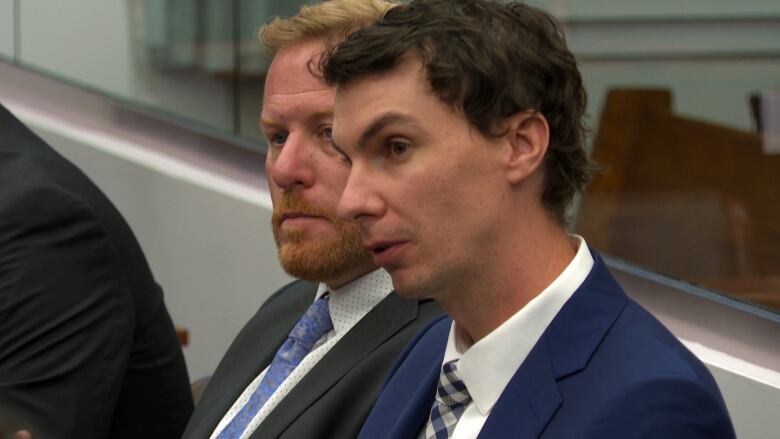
(683,114)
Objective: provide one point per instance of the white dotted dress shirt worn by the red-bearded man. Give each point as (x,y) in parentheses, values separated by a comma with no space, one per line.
(348,305)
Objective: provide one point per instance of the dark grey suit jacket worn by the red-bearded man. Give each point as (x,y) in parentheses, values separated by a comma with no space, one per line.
(335,397)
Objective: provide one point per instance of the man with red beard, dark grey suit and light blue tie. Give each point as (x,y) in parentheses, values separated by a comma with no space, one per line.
(311,362)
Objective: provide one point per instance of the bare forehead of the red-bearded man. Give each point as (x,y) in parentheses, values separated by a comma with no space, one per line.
(289,73)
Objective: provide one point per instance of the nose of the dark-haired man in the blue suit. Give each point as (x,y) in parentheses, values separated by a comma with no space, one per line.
(359,201)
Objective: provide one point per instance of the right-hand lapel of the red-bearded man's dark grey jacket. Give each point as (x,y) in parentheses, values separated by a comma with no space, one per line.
(381,323)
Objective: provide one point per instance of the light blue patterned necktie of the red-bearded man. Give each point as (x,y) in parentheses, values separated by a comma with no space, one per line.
(311,327)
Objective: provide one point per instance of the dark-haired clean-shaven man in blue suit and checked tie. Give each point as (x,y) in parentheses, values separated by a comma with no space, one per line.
(462,124)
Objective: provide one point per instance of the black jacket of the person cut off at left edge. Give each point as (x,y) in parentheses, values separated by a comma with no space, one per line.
(87,348)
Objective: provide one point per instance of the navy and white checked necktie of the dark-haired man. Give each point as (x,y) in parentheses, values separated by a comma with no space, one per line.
(452,397)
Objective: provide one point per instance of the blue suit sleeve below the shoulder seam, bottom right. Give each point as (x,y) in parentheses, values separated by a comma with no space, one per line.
(665,408)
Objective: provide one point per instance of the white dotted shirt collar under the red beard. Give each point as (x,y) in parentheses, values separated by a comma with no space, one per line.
(353,301)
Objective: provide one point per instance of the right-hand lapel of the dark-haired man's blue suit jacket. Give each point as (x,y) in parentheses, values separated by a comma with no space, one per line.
(532,397)
